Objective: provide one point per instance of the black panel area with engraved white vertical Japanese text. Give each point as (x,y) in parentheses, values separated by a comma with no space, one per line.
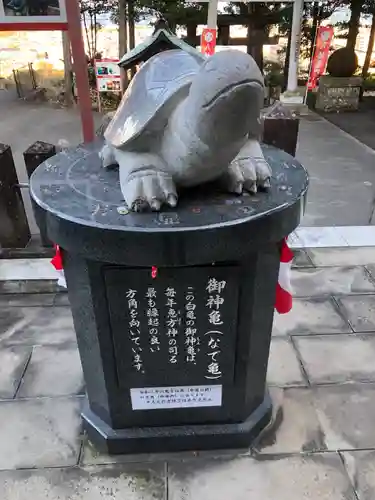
(178,328)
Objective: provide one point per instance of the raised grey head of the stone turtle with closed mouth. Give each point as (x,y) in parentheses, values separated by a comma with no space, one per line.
(226,97)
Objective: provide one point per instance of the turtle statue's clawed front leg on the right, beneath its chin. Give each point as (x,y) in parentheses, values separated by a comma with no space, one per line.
(249,170)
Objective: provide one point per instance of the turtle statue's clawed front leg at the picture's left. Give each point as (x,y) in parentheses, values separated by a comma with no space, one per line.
(144,181)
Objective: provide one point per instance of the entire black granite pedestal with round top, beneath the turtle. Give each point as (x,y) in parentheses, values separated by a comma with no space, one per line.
(173,311)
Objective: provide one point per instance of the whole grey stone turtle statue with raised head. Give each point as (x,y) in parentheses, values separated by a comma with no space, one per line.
(186,120)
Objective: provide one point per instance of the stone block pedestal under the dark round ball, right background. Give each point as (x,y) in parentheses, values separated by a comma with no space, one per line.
(338,94)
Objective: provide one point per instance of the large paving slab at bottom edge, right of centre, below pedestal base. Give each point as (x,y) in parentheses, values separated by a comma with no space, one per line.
(315,477)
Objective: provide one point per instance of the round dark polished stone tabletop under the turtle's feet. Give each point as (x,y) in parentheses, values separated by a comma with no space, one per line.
(82,207)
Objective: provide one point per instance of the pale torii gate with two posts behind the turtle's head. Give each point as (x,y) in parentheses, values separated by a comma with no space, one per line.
(295,38)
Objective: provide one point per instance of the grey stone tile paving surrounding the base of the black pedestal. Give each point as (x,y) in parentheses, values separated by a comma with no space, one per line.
(320,446)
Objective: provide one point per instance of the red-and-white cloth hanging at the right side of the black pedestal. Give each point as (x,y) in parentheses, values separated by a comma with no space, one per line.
(284,298)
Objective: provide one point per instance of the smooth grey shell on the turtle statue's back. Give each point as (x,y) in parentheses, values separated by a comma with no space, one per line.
(150,91)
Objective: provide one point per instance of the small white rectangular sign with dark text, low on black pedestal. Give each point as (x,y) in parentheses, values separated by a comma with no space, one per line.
(165,398)
